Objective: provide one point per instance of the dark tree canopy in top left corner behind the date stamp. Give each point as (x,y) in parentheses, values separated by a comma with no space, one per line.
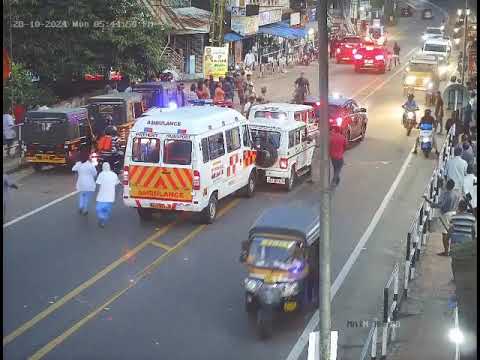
(120,34)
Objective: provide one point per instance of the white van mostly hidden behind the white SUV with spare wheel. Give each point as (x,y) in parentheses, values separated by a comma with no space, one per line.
(285,111)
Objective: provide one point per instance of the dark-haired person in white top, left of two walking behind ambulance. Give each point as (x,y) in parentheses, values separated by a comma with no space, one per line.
(86,173)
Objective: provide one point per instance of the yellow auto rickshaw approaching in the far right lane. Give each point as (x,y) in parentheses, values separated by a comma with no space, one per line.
(422,74)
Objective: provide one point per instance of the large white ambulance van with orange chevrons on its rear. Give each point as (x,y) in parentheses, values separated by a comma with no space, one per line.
(188,159)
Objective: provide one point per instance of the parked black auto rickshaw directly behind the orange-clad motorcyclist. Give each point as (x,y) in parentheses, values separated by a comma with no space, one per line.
(117,109)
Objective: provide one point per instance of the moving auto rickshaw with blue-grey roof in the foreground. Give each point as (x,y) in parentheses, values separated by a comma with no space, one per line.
(281,256)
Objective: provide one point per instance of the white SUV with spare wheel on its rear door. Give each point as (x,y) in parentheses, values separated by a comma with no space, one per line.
(284,150)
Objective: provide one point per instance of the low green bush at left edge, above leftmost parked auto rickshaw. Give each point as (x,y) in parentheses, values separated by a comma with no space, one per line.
(22,90)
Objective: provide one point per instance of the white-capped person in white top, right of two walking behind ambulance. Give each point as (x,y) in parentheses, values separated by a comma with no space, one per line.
(107,180)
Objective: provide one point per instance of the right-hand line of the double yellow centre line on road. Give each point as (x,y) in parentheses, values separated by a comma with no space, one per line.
(137,278)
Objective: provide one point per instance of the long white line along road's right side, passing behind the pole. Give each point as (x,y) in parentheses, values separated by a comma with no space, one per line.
(313,323)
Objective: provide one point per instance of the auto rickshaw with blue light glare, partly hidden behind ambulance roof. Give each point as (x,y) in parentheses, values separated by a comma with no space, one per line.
(160,94)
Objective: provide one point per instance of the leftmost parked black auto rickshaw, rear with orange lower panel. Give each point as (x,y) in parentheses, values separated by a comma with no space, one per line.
(54,136)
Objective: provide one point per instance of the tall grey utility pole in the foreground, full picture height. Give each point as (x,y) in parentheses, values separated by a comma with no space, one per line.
(324,243)
